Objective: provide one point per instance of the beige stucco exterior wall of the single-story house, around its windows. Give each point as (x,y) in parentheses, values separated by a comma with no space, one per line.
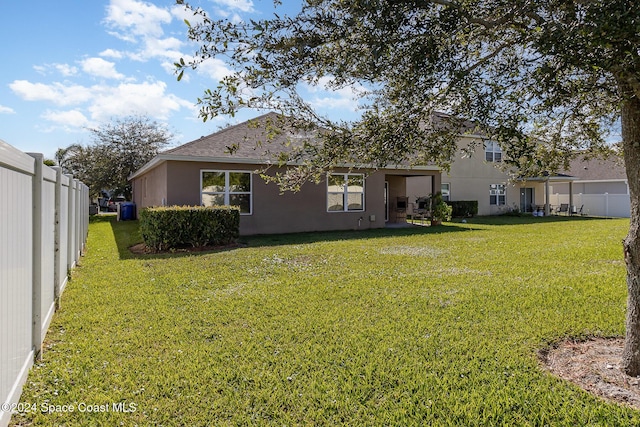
(273,212)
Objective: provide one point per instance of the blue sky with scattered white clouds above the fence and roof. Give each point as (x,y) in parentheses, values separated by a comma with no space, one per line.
(71,64)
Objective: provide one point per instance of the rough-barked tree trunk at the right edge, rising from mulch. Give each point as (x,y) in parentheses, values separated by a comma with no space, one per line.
(631,148)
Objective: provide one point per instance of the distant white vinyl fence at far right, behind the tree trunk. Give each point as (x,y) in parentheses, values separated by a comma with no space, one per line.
(606,205)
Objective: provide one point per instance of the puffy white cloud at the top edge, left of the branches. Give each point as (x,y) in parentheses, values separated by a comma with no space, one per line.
(131,18)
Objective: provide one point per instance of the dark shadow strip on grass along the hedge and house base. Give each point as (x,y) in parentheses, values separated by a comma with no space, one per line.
(127,234)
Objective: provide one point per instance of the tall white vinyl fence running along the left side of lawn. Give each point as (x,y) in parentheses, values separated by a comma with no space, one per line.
(44,218)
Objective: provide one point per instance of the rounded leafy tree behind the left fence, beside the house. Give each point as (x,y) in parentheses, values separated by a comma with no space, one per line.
(119,148)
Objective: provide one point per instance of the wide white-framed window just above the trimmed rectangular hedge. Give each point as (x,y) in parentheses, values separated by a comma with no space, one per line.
(226,188)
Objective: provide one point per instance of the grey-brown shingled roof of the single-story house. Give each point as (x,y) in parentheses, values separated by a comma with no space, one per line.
(257,141)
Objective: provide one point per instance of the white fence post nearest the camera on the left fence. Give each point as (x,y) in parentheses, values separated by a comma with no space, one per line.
(36,300)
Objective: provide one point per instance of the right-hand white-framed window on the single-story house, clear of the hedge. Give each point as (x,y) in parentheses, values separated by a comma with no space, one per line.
(345,192)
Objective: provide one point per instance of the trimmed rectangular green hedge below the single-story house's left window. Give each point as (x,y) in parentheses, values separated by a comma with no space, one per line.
(172,227)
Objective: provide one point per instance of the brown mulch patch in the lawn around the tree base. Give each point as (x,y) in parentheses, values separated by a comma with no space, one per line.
(594,365)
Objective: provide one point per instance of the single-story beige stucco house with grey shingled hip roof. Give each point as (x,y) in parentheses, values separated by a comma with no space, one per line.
(207,172)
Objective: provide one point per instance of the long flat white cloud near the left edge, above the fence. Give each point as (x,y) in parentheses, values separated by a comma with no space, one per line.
(56,93)
